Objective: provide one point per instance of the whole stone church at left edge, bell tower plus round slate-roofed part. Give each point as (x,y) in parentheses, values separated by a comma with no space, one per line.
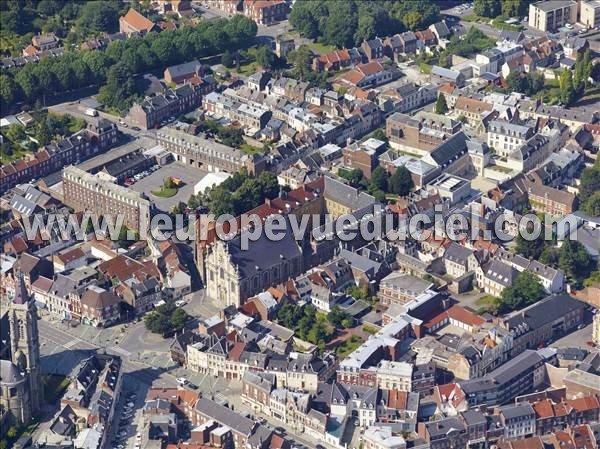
(20,374)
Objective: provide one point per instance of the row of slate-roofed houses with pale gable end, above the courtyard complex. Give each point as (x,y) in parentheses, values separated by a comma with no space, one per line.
(171,103)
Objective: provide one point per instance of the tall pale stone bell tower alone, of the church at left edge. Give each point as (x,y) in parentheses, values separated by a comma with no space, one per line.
(24,341)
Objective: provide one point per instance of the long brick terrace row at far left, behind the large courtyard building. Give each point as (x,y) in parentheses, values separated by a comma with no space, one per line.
(99,136)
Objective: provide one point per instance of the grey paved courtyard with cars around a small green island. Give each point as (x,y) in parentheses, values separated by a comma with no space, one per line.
(154,181)
